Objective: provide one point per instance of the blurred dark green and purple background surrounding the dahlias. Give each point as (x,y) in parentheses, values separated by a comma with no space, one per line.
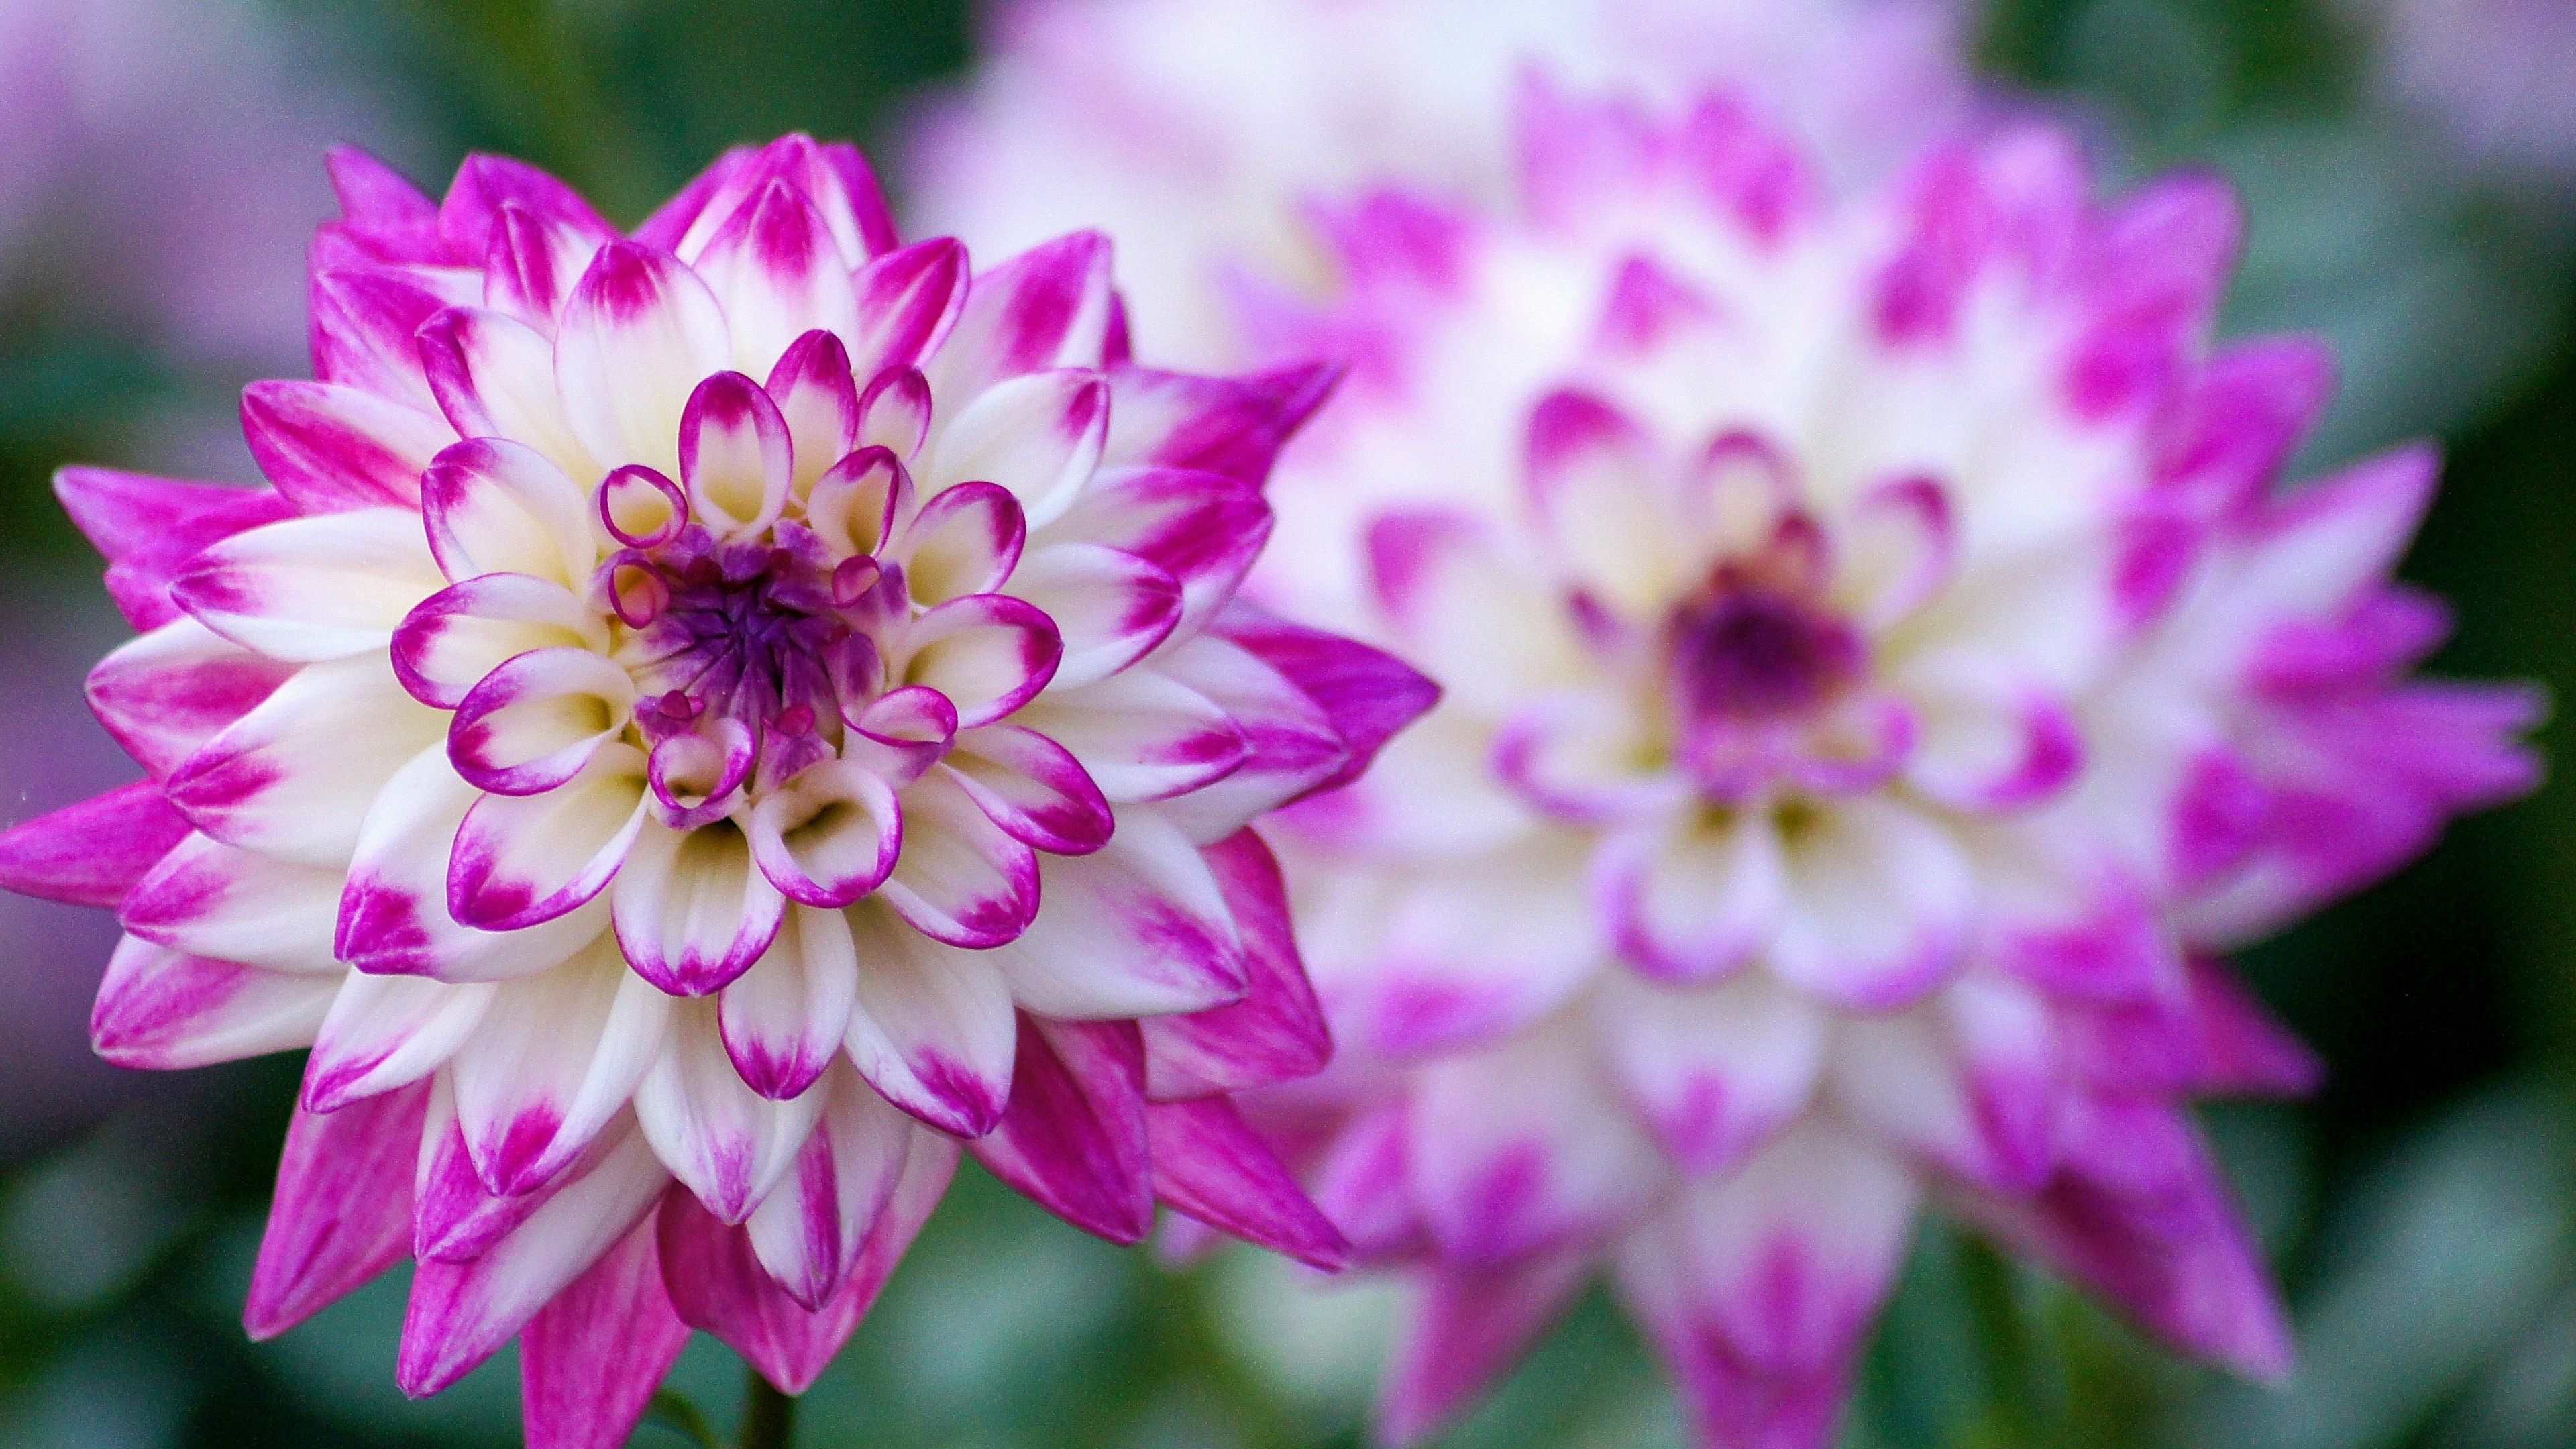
(2415,200)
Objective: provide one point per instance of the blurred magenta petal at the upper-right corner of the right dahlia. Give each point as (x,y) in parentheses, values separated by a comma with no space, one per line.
(2155,280)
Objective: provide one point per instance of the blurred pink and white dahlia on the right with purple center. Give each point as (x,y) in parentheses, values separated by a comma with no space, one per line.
(1879,672)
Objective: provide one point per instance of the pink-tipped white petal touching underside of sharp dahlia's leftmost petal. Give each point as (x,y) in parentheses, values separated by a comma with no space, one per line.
(218,901)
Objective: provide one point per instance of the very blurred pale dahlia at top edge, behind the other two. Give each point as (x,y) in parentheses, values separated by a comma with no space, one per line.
(1199,128)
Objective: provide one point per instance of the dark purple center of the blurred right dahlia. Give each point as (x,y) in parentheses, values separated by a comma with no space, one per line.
(1758,654)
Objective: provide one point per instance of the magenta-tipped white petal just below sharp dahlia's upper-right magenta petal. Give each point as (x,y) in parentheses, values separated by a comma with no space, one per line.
(1199,527)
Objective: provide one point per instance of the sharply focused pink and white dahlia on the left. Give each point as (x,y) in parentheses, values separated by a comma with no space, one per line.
(702,726)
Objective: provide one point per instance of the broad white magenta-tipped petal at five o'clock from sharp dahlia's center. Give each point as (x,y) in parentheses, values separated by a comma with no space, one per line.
(934,1027)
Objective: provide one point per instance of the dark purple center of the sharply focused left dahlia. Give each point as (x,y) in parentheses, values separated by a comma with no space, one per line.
(738,630)
